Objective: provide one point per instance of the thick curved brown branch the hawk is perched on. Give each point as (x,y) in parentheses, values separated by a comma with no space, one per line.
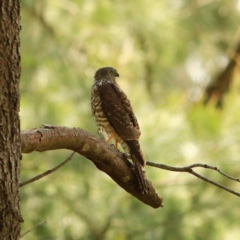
(105,157)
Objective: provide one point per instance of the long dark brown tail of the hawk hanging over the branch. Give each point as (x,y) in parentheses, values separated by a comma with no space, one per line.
(139,163)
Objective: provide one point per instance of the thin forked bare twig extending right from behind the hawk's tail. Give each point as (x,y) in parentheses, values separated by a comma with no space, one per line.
(189,170)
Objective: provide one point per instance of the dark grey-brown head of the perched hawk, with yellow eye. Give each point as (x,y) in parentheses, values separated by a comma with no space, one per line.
(106,74)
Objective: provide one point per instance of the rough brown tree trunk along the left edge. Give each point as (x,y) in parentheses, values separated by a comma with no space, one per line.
(10,147)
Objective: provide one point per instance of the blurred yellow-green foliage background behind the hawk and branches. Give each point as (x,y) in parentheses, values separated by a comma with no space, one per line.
(165,52)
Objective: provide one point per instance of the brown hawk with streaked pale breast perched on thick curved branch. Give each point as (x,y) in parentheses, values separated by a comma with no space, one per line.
(115,118)
